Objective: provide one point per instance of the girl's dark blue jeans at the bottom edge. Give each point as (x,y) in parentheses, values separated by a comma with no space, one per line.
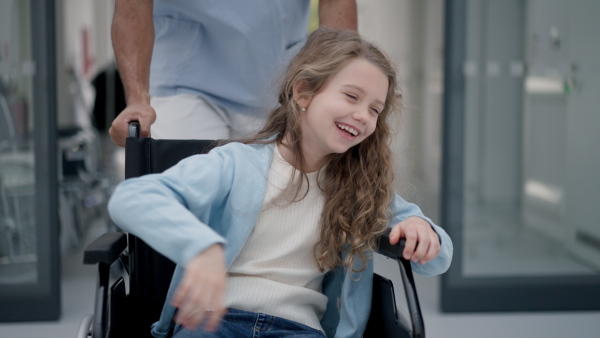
(241,324)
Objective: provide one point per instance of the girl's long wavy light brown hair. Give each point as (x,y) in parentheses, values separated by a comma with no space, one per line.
(358,184)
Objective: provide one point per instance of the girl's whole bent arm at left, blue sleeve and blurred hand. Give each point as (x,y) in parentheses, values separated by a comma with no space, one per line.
(170,211)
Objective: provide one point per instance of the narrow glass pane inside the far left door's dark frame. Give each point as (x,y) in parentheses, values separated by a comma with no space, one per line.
(18,242)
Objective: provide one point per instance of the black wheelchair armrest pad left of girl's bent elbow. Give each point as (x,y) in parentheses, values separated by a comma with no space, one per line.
(105,249)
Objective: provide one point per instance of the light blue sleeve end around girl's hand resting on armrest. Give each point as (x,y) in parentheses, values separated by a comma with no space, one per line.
(401,210)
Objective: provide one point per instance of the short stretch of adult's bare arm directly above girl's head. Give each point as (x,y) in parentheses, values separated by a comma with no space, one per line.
(338,14)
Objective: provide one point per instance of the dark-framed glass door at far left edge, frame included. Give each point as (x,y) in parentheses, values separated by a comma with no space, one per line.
(29,262)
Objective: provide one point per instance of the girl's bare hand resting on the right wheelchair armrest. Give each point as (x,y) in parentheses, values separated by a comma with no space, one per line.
(422,242)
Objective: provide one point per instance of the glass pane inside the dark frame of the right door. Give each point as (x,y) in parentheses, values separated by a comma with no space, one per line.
(531,141)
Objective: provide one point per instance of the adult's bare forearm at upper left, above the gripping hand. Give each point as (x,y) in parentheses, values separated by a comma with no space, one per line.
(133,40)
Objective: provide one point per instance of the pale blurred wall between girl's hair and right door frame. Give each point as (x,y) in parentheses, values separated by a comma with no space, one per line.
(411,32)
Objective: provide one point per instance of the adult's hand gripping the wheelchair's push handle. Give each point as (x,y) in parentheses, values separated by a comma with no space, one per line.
(141,112)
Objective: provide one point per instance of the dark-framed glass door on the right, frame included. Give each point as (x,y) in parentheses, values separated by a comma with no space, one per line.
(521,156)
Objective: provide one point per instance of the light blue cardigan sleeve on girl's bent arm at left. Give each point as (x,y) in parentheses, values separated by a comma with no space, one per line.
(170,211)
